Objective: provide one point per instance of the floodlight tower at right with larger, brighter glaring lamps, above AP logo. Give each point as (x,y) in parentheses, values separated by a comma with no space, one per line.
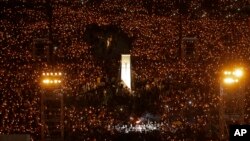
(232,81)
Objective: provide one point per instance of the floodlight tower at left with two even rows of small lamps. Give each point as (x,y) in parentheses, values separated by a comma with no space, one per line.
(51,81)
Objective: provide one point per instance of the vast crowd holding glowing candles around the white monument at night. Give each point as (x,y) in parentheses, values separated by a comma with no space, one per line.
(168,81)
